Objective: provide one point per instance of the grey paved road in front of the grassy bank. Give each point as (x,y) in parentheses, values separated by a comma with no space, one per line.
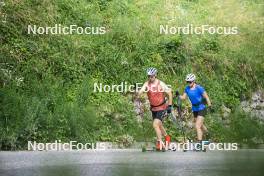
(132,162)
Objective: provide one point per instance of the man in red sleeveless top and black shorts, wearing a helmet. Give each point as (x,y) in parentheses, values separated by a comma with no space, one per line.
(157,92)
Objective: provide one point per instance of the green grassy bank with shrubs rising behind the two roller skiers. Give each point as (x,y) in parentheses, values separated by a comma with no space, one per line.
(47,81)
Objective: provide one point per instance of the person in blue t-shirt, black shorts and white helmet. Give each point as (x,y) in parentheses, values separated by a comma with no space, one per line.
(196,94)
